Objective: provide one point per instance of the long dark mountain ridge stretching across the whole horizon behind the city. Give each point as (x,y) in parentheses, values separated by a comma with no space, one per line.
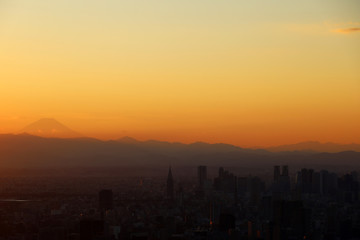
(27,151)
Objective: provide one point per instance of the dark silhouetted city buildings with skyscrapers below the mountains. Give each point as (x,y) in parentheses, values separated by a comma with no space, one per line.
(307,204)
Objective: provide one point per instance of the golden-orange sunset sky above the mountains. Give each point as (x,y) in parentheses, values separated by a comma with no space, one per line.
(249,73)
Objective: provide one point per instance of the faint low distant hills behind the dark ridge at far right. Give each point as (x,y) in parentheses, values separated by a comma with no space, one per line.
(313,146)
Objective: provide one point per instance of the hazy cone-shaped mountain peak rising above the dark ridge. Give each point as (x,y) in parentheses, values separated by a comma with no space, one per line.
(48,127)
